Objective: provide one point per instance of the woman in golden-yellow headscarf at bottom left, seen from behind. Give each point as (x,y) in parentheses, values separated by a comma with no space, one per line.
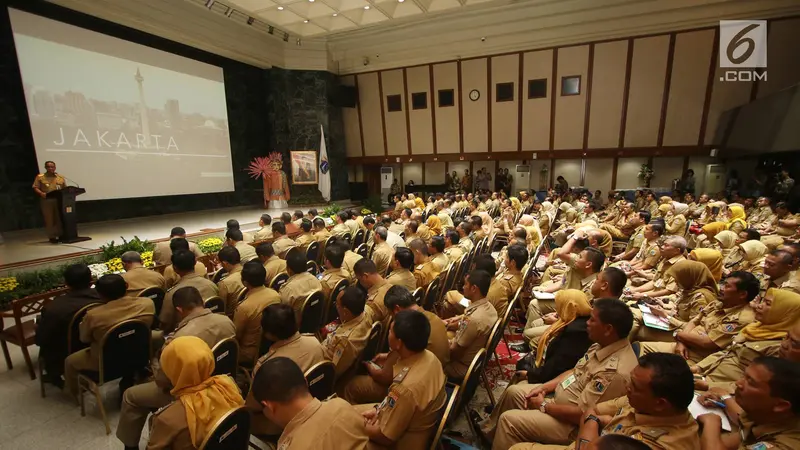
(201,399)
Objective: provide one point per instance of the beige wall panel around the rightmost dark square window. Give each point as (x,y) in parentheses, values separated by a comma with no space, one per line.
(571,110)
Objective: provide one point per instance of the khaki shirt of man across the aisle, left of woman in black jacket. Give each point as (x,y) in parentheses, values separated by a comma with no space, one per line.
(473,332)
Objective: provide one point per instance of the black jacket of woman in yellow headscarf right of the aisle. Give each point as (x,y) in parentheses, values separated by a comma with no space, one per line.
(563,353)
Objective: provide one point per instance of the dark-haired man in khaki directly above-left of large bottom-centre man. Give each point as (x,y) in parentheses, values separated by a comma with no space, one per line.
(344,345)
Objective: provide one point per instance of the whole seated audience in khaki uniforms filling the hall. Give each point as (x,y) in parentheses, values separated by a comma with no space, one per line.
(631,309)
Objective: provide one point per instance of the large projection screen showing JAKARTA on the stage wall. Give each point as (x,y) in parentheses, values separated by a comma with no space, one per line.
(121,119)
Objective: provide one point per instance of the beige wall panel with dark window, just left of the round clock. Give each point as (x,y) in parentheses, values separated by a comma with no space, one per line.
(445,76)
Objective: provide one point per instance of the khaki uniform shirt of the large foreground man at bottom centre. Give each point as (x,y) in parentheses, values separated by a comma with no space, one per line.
(410,411)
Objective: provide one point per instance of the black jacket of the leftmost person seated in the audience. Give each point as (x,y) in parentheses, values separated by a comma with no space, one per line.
(51,331)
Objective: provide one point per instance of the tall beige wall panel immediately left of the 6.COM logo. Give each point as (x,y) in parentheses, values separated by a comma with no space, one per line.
(688,87)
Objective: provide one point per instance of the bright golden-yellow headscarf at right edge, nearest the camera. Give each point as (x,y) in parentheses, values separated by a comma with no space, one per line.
(782,315)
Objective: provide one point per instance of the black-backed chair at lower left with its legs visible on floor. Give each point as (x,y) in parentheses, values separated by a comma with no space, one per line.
(125,350)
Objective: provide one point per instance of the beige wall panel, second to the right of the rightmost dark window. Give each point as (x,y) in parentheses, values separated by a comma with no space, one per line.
(646,91)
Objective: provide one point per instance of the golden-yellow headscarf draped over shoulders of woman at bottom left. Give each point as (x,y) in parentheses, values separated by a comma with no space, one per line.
(188,363)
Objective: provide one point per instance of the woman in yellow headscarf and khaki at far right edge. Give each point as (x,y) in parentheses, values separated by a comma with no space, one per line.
(776,313)
